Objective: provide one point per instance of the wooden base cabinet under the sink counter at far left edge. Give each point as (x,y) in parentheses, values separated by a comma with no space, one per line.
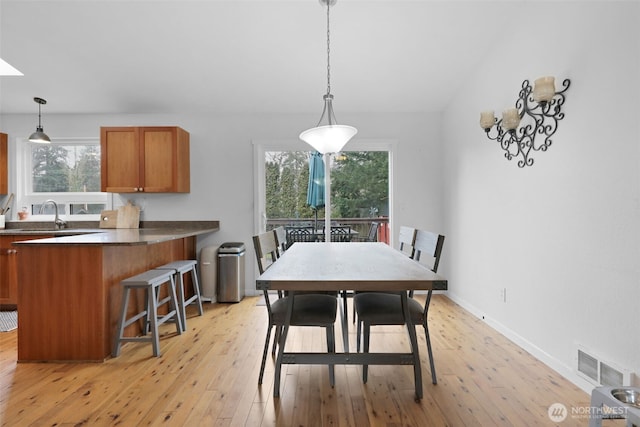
(9,269)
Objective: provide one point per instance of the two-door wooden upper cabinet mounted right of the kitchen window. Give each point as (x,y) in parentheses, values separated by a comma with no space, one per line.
(145,159)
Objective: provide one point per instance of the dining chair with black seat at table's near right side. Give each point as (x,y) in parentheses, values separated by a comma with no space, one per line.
(378,308)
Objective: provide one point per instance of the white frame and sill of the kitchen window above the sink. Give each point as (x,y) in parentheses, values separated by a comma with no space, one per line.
(24,188)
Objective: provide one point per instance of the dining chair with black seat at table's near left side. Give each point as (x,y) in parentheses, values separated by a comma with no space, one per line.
(309,309)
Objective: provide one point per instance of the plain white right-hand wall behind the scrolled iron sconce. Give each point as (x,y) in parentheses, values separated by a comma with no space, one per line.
(563,235)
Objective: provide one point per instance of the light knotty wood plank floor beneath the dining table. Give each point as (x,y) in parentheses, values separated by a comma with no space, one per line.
(208,376)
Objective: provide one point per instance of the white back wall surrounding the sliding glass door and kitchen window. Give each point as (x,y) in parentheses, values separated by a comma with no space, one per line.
(222,164)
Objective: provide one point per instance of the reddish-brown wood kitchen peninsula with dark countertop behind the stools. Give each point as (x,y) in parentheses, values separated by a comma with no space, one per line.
(69,291)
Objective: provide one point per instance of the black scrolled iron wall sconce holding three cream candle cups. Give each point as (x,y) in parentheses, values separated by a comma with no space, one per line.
(540,110)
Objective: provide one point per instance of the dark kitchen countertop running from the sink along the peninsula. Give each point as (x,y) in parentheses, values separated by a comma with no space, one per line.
(150,232)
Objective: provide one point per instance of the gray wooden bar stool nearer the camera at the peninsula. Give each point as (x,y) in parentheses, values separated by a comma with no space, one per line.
(151,281)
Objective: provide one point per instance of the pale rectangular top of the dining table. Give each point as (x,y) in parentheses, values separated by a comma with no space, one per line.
(347,266)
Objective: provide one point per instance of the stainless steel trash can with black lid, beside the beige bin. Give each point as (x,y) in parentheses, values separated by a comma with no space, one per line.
(231,272)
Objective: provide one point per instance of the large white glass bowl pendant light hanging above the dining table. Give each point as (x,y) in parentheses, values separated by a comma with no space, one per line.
(328,136)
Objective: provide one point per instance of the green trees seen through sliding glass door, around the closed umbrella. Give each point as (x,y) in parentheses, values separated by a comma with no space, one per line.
(359,185)
